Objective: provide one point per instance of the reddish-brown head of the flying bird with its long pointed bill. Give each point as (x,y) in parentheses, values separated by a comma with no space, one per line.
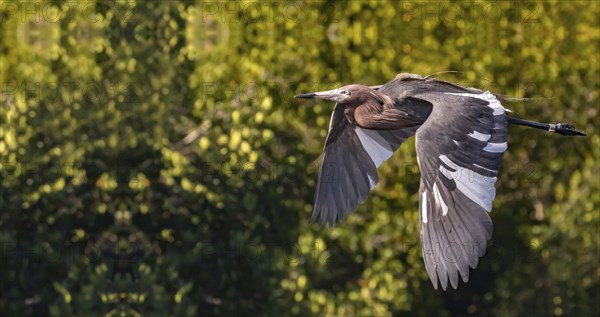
(349,94)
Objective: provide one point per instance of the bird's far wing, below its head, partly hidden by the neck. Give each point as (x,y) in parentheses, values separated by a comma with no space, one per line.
(349,164)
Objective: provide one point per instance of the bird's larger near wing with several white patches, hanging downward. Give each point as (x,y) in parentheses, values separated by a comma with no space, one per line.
(459,151)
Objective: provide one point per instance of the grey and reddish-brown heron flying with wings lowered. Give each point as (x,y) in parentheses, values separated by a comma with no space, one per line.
(461,135)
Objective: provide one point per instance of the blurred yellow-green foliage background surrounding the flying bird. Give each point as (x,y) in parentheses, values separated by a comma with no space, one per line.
(154,163)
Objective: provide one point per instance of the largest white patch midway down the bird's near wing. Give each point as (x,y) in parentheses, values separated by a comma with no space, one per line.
(478,188)
